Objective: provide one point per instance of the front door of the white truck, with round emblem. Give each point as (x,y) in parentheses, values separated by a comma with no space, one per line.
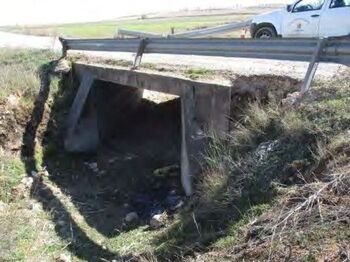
(304,19)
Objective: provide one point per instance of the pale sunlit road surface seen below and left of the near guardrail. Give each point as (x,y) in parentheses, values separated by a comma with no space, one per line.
(236,65)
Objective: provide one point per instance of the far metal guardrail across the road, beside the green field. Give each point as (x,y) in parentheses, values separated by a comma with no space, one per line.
(211,31)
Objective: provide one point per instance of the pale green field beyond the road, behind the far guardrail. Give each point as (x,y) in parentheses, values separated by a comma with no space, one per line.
(109,28)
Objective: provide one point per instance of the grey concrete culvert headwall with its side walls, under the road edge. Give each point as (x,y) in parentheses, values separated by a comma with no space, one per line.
(107,95)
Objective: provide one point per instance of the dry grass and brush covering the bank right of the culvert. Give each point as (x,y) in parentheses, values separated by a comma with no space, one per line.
(298,159)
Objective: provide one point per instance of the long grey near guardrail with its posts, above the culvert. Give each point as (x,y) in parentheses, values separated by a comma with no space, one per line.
(330,50)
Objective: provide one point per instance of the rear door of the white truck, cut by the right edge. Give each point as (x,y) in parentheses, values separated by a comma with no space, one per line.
(336,19)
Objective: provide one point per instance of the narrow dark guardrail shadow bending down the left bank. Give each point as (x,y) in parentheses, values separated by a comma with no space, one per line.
(80,245)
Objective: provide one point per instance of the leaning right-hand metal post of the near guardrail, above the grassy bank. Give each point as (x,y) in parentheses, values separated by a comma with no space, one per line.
(311,71)
